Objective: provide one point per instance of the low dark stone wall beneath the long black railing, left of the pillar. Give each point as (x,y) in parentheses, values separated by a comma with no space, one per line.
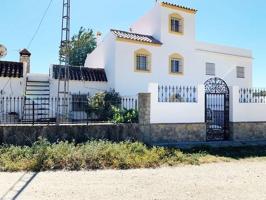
(26,135)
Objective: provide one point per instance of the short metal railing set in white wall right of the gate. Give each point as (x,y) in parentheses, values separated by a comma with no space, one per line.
(252,95)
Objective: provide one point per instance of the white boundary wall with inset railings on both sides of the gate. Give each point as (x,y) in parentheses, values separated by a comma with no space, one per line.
(188,106)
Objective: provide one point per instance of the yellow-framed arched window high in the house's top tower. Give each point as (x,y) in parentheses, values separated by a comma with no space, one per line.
(176,24)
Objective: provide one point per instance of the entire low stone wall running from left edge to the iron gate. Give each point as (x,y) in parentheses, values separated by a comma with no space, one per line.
(149,134)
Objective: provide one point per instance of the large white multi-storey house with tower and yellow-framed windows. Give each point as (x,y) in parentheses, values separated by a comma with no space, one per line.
(161,47)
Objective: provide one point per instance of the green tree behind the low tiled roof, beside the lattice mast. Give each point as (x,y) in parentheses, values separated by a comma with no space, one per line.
(80,45)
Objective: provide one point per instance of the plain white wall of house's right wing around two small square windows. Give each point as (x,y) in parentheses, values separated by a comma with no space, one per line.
(226,59)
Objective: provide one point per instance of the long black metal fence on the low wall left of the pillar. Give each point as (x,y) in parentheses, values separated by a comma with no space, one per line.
(24,110)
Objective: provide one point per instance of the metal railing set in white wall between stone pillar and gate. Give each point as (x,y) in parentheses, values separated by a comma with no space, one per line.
(186,94)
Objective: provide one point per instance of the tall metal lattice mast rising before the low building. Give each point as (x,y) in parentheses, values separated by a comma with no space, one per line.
(63,74)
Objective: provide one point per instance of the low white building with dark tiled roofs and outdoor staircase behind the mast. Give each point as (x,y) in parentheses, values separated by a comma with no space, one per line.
(24,94)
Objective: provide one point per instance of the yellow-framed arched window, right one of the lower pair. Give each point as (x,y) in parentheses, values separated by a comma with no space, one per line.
(176,64)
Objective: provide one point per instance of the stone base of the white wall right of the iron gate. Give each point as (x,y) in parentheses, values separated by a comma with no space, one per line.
(248,131)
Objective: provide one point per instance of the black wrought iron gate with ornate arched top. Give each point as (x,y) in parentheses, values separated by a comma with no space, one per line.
(217,109)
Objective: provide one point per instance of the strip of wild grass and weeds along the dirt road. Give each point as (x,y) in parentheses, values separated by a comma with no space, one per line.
(107,155)
